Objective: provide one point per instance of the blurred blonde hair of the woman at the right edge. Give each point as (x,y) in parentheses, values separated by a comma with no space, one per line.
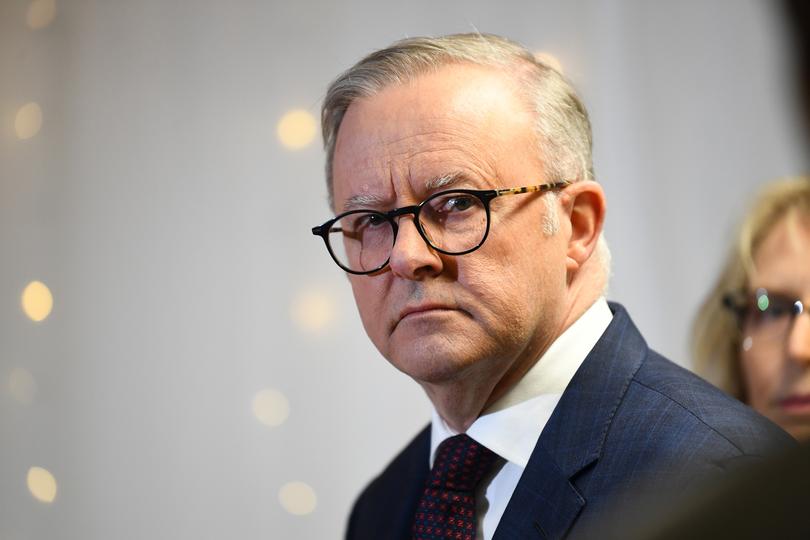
(715,333)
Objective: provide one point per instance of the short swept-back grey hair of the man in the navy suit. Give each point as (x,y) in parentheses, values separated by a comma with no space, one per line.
(562,126)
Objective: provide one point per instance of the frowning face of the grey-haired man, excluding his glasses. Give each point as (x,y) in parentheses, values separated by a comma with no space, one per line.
(436,317)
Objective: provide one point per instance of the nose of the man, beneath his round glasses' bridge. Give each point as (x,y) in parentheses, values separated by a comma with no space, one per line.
(411,257)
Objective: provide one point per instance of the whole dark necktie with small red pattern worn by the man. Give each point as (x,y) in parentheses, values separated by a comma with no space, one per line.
(447,507)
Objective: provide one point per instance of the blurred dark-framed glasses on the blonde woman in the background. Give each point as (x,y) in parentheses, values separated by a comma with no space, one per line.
(766,313)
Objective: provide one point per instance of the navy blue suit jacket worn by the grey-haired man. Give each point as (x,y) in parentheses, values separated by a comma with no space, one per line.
(628,419)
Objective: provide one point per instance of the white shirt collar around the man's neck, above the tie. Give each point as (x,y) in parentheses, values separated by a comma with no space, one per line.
(511,426)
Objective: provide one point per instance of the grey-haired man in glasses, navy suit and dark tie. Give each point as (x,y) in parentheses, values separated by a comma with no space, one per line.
(470,226)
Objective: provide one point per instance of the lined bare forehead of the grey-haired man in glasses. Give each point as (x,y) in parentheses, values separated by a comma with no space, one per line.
(461,118)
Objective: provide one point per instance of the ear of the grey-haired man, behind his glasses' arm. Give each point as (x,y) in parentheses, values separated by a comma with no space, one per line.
(584,204)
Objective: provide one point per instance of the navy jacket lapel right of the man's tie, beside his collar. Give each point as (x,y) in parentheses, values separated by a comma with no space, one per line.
(546,501)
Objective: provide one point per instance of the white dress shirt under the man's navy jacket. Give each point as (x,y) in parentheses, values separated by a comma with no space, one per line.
(511,426)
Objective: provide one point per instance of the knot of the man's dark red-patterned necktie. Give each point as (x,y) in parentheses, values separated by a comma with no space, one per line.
(460,464)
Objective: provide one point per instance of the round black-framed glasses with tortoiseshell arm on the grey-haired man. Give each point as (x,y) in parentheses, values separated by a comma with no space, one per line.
(453,222)
